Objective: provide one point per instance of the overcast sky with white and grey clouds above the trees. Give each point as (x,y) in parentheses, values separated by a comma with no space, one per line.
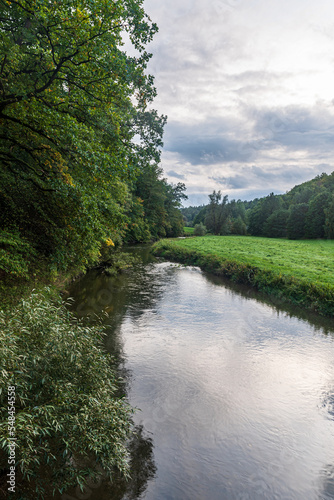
(248,88)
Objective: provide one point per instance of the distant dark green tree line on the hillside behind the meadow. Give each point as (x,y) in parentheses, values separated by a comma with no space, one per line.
(304,212)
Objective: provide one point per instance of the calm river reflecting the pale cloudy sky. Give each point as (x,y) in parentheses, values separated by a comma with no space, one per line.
(236,395)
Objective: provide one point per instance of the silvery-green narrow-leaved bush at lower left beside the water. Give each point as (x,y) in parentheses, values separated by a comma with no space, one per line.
(68,417)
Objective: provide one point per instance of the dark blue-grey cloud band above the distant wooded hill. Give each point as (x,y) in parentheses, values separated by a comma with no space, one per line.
(293,128)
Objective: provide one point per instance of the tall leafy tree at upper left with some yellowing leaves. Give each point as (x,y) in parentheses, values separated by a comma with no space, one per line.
(71,104)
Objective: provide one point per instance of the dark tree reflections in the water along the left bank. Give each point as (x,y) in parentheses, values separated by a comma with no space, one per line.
(97,295)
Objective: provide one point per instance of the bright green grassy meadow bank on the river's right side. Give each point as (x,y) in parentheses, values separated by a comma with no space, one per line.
(301,272)
